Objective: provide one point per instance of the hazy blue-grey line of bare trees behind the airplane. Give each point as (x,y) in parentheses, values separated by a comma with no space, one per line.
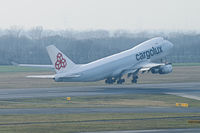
(23,46)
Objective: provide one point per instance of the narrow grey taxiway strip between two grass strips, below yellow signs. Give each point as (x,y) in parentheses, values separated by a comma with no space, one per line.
(99,110)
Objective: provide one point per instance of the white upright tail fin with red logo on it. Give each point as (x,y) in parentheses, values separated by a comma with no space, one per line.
(60,61)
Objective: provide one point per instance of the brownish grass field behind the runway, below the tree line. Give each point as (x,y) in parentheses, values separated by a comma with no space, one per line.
(15,77)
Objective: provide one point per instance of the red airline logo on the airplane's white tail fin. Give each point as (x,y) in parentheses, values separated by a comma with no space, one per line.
(60,62)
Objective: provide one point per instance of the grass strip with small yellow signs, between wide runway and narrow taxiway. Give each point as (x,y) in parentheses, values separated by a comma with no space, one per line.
(128,100)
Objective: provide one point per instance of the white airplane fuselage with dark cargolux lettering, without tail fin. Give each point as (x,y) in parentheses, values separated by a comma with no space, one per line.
(119,63)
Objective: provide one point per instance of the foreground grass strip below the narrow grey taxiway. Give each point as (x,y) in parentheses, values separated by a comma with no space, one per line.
(68,123)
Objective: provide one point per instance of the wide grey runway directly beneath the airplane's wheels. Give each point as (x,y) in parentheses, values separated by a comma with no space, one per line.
(191,89)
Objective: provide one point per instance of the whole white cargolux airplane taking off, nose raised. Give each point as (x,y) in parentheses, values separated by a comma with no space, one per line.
(112,68)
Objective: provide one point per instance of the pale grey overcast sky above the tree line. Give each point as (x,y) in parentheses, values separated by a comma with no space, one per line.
(102,14)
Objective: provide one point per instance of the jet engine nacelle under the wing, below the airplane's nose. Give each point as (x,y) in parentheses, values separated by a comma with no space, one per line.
(165,69)
